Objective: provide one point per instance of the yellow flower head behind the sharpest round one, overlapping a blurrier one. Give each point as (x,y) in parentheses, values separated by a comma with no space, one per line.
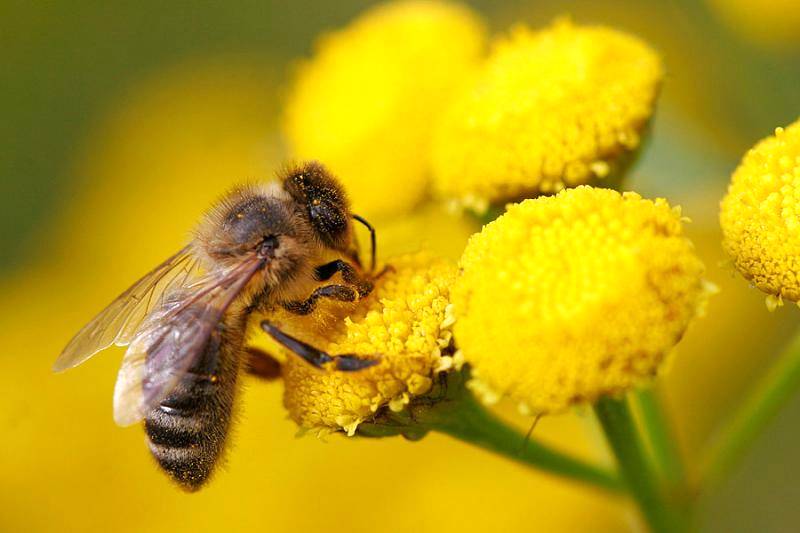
(551,109)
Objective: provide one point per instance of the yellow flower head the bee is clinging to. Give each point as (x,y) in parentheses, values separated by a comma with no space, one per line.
(405,322)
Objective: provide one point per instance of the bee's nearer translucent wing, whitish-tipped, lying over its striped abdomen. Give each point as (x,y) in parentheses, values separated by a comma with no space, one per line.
(172,338)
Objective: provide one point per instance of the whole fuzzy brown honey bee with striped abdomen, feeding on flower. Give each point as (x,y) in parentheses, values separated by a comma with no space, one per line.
(261,247)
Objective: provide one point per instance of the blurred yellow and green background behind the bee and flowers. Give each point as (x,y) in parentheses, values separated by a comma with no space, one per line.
(99,102)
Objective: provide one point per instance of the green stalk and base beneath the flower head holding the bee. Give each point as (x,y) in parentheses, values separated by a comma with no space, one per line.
(452,410)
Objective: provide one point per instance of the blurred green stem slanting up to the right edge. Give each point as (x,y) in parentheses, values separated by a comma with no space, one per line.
(760,406)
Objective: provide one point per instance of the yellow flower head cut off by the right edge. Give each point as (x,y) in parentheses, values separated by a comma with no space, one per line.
(760,215)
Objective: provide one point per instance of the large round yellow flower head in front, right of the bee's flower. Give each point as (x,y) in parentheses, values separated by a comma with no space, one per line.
(565,298)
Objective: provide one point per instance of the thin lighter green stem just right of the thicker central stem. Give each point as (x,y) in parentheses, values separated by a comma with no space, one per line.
(658,430)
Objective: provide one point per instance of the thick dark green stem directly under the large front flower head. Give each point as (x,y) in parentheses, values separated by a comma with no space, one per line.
(623,437)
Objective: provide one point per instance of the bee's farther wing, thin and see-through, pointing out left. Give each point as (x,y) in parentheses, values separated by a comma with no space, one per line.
(117,323)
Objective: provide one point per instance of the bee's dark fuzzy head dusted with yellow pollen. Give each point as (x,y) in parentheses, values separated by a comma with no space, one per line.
(323,201)
